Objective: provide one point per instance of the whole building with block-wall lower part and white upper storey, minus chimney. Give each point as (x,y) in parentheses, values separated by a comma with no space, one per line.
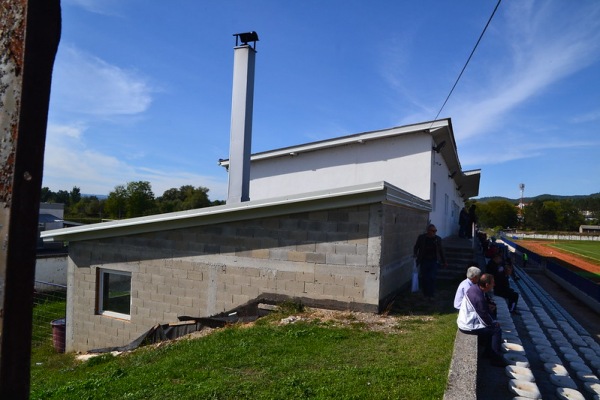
(339,241)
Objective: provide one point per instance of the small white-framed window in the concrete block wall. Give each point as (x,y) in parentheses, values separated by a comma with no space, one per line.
(114,293)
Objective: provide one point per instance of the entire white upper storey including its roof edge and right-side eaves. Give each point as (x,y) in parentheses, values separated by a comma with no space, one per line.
(403,157)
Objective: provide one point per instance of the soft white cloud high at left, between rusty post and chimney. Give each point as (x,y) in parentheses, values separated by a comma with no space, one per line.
(86,85)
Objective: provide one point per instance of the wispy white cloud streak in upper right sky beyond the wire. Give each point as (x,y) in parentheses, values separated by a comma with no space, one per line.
(543,52)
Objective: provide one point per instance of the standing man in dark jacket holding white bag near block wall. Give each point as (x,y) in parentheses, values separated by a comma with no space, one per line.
(429,254)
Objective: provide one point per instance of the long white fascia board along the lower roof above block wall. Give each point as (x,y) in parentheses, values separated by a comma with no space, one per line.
(320,200)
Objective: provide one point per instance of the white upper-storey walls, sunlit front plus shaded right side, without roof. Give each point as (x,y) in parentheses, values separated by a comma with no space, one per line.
(405,161)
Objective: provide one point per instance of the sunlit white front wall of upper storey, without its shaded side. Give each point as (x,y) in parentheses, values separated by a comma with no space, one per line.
(404,162)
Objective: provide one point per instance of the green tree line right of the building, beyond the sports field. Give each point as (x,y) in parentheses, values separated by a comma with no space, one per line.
(539,215)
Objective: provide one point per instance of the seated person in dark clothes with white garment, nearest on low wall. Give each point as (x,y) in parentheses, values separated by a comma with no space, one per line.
(474,318)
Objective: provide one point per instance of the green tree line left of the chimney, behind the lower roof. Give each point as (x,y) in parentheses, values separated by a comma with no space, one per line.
(134,199)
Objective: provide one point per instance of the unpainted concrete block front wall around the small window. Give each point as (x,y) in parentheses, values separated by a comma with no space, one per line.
(330,258)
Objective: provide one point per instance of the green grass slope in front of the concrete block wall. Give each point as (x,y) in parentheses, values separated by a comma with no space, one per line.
(310,359)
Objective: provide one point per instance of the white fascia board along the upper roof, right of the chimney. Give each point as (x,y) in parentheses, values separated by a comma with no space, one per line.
(344,140)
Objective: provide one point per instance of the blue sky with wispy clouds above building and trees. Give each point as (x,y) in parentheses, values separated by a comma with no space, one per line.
(142,88)
